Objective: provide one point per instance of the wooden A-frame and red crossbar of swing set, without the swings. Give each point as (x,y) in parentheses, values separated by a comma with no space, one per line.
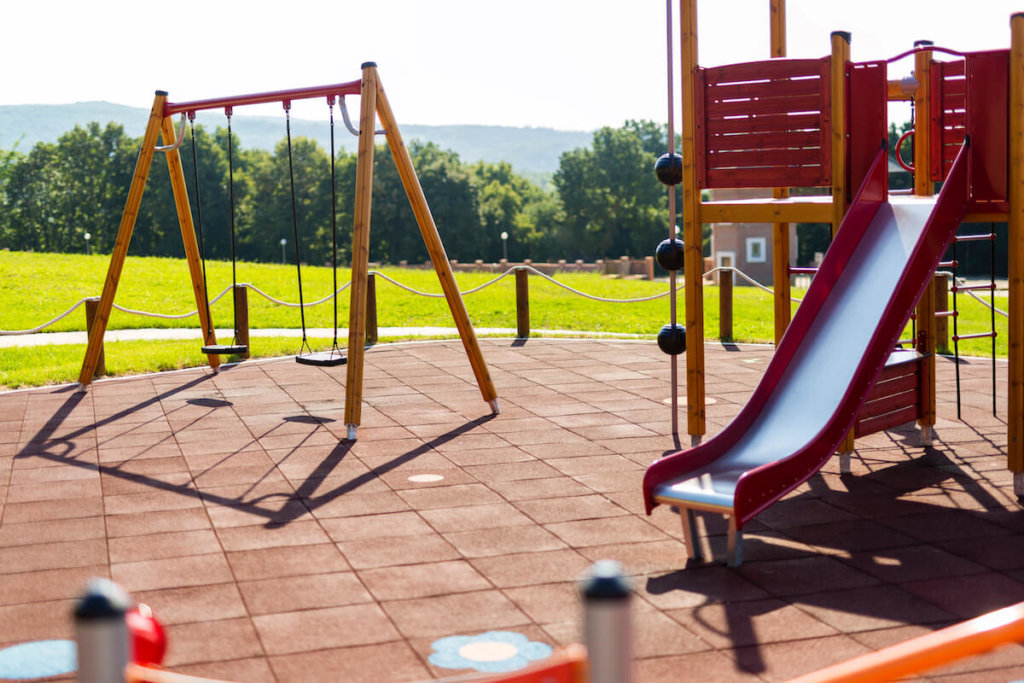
(373,106)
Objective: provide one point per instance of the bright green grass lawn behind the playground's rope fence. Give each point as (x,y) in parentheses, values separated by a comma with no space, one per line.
(36,288)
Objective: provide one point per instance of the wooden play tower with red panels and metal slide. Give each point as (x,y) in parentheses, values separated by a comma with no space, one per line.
(837,374)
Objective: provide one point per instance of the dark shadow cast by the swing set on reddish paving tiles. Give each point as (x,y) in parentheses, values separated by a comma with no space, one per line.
(295,504)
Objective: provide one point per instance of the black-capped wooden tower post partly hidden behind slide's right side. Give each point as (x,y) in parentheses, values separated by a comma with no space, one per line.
(924,187)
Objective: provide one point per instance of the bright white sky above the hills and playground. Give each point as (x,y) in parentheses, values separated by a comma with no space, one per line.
(575,65)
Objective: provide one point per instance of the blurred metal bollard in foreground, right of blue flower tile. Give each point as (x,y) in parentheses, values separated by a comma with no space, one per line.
(608,630)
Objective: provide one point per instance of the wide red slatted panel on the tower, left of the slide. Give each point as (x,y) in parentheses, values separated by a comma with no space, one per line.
(764,124)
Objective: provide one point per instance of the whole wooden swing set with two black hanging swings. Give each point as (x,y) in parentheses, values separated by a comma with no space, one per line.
(374,107)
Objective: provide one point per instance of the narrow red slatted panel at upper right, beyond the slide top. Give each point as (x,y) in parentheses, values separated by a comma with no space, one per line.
(949,115)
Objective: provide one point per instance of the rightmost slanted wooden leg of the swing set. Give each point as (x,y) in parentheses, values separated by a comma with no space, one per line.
(435,245)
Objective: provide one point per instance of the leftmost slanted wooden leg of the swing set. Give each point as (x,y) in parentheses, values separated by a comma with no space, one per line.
(103,314)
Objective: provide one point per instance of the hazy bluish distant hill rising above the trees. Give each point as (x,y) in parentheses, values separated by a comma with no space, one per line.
(534,152)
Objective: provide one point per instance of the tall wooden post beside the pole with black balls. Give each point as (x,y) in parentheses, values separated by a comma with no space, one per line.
(693,235)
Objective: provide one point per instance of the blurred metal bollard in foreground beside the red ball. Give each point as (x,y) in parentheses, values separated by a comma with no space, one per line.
(102,633)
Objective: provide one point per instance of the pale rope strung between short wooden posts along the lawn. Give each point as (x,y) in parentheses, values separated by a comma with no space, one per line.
(707,276)
